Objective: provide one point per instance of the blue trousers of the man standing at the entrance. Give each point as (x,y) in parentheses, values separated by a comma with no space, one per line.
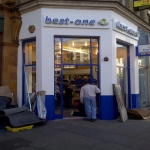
(90,107)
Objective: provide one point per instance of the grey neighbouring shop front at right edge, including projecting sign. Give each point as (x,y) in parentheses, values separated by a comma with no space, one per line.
(143,53)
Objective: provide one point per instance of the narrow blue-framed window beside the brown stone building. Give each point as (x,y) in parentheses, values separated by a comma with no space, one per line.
(29,68)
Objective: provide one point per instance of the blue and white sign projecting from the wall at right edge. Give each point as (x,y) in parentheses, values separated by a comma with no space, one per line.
(143,50)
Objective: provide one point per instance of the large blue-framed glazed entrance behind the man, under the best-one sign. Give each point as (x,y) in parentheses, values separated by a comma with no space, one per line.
(76,60)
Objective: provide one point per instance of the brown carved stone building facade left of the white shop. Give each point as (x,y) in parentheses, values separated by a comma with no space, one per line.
(9,44)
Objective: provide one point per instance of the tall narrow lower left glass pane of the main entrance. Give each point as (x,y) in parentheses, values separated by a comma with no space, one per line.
(58,90)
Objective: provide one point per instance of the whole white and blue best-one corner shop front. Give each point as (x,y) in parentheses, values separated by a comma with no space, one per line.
(66,48)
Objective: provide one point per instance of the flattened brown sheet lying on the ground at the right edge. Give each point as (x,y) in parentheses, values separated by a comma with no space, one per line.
(139,113)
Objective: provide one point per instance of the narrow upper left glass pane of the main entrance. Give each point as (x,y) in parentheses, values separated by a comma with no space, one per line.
(57,51)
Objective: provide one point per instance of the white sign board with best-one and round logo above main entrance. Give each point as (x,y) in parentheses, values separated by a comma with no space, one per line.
(76,22)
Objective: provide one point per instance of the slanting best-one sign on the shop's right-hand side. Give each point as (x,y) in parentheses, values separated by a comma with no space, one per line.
(126,29)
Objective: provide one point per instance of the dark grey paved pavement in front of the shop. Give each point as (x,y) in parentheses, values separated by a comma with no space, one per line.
(78,134)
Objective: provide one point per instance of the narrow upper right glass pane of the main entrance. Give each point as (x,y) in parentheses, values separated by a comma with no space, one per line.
(94,51)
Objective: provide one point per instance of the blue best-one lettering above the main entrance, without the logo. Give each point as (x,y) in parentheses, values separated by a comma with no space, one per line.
(67,21)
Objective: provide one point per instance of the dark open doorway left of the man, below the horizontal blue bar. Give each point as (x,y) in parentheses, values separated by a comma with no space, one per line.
(73,77)
